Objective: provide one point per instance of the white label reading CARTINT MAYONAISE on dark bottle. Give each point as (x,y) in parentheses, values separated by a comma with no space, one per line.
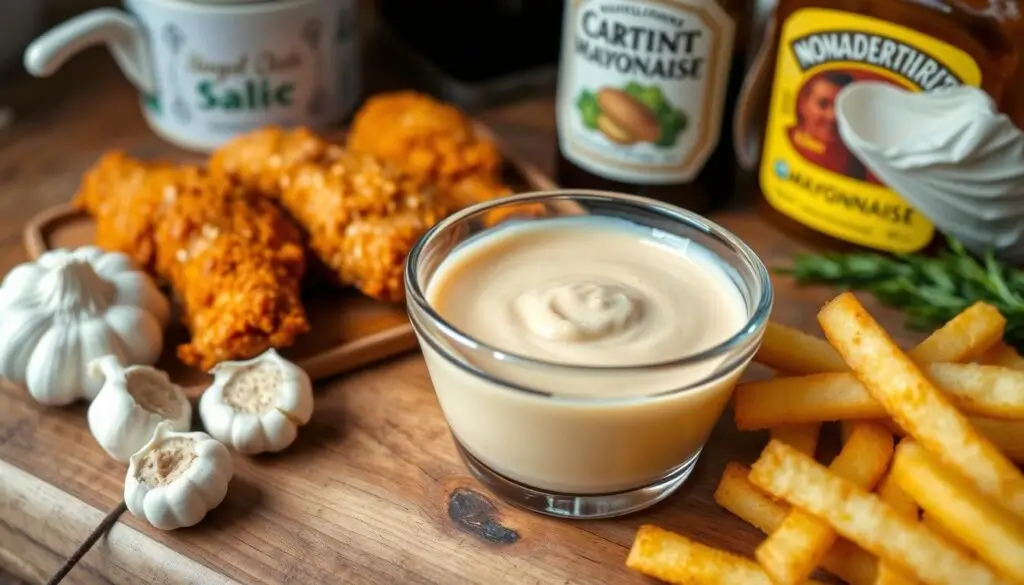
(642,87)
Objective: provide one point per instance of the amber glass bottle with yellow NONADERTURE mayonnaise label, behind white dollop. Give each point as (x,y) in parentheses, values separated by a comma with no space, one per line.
(814,187)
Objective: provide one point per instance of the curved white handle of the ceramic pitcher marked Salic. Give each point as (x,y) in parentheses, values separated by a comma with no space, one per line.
(121,33)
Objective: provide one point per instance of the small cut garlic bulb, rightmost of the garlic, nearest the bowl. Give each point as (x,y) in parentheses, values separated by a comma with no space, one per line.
(258,405)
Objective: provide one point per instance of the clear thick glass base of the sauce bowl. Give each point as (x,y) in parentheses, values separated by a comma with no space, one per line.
(589,507)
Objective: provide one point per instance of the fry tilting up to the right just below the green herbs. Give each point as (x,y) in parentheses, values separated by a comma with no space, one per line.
(964,339)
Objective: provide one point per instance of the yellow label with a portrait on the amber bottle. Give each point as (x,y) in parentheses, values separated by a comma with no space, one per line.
(807,173)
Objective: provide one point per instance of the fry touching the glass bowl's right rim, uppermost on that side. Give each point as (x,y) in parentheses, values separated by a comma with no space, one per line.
(791,351)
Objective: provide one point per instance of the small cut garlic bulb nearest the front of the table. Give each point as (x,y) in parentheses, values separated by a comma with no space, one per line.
(178,478)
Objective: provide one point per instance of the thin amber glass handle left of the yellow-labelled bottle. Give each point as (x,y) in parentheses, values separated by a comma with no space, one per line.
(754,95)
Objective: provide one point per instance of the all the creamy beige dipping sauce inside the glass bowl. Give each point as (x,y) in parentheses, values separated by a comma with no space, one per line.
(580,294)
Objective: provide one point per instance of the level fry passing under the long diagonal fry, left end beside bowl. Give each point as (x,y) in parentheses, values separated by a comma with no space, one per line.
(985,391)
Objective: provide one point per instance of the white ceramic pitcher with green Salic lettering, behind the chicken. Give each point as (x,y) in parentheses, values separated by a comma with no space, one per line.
(209,71)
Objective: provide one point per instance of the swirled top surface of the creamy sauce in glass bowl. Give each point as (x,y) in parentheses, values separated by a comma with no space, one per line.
(588,291)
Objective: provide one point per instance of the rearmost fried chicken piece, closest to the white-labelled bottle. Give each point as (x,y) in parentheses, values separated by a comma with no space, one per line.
(433,141)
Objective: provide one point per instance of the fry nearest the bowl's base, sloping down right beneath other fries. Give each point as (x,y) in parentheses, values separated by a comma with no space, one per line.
(738,495)
